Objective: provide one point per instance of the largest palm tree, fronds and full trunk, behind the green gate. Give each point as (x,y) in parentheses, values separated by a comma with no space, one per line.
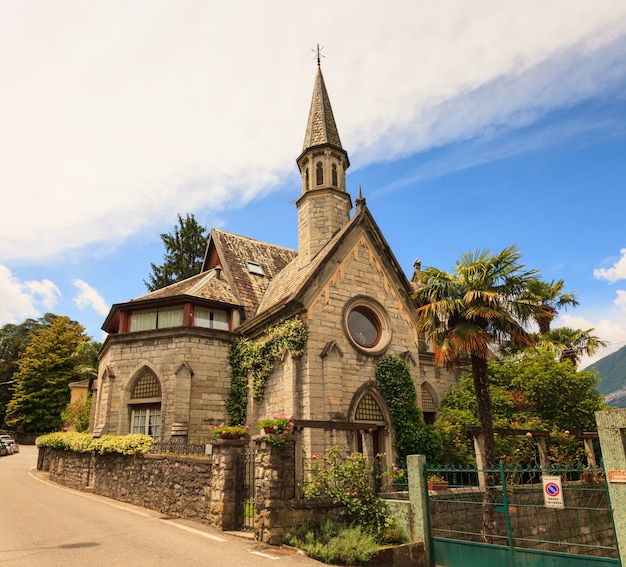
(467,314)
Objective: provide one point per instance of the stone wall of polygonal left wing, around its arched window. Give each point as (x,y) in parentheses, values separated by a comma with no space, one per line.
(192,367)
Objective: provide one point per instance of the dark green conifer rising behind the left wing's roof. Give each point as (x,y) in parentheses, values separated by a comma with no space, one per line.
(184,253)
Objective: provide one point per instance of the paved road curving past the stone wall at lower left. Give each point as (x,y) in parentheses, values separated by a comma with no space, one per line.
(43,524)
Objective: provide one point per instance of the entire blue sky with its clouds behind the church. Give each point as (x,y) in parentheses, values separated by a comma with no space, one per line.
(469,125)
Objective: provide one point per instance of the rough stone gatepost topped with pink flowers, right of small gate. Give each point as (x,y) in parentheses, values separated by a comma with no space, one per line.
(274,489)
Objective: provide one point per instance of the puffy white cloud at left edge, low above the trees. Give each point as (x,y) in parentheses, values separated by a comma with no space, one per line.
(21,300)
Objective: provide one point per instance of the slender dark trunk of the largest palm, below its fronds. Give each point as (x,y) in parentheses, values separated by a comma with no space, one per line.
(485,416)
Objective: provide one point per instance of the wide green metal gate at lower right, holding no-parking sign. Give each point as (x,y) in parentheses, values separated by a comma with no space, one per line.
(526,532)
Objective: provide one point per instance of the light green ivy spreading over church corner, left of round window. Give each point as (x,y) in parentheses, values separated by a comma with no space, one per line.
(254,360)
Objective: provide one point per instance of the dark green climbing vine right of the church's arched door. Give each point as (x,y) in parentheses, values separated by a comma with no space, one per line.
(411,435)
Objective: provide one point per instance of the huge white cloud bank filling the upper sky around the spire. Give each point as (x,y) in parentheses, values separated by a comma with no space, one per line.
(108,127)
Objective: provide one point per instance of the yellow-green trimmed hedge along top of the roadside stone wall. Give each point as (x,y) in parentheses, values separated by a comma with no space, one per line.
(84,443)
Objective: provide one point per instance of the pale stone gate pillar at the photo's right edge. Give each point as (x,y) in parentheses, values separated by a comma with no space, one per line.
(612,432)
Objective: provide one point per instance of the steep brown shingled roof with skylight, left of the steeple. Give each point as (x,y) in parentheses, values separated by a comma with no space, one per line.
(234,252)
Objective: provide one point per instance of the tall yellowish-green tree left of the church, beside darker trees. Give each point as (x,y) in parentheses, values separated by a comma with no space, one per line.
(45,369)
